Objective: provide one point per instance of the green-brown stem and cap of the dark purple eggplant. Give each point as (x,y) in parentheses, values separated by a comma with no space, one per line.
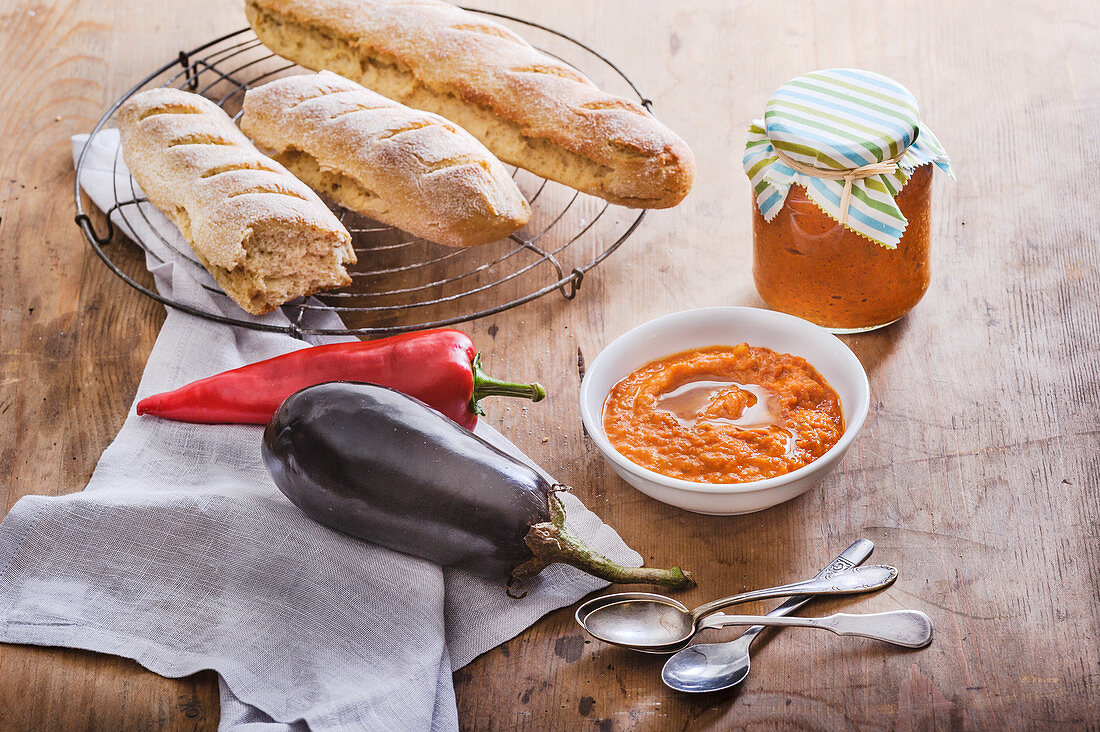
(551,542)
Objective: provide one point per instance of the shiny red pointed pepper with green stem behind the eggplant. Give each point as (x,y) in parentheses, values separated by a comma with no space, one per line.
(441,368)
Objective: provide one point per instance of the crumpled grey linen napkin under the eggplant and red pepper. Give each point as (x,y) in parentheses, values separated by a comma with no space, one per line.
(183,555)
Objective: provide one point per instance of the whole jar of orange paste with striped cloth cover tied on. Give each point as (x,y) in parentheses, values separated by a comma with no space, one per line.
(842,174)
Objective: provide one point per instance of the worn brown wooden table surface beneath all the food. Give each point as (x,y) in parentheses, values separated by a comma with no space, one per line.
(976,474)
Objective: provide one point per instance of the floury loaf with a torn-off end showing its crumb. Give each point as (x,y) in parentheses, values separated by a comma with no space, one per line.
(263,235)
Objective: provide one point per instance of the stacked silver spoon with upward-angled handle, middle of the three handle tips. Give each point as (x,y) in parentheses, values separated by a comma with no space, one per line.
(656,624)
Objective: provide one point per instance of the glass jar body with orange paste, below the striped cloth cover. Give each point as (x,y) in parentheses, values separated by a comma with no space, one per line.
(808,265)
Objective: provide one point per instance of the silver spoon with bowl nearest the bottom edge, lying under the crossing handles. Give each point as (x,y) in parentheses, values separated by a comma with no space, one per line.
(719,667)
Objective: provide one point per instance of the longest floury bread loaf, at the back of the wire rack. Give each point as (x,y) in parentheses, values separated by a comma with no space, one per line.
(529,108)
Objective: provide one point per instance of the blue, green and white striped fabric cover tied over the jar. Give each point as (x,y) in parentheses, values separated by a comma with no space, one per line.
(839,121)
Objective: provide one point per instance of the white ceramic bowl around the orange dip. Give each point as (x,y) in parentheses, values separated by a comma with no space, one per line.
(727,326)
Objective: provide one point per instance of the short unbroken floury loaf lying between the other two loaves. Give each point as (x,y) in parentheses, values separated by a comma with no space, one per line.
(401,167)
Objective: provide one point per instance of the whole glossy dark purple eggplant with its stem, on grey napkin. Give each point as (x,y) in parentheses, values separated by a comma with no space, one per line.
(370,462)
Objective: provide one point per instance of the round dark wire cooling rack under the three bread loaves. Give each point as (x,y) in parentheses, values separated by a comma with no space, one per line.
(401,282)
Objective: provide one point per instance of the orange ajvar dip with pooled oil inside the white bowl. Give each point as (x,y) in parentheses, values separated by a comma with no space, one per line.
(724,416)
